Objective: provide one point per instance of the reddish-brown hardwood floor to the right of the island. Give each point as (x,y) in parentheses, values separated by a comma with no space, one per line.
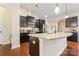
(72,49)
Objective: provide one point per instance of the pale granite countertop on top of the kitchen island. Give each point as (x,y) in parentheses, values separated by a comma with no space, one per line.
(51,36)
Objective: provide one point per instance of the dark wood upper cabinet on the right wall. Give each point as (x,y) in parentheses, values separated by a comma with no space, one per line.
(71,22)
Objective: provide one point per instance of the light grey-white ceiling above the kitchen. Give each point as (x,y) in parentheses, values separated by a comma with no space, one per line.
(48,9)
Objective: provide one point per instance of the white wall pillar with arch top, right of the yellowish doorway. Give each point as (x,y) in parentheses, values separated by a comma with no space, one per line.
(14,9)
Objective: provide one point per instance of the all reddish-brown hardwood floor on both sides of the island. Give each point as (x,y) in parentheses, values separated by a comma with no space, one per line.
(71,50)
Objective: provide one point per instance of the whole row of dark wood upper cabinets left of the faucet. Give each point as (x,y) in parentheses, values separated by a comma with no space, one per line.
(28,21)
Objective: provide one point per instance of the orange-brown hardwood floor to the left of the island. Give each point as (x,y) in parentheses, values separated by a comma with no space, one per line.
(22,51)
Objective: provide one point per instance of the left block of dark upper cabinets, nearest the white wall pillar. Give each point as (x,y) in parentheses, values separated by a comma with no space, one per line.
(27,21)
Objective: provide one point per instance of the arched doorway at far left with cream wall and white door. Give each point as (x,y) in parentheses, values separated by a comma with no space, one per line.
(5,30)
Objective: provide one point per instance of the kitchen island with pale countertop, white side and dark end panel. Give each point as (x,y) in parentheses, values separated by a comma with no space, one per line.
(52,44)
